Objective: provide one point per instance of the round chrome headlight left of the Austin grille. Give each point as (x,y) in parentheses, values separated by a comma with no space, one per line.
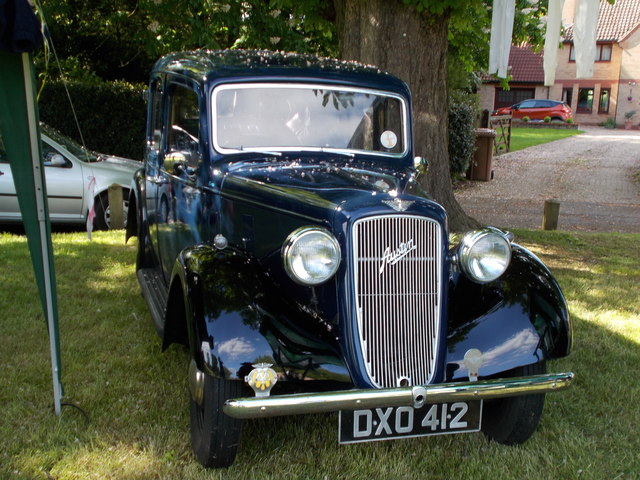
(311,255)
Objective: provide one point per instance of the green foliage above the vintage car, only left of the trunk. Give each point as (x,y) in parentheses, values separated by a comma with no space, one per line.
(121,39)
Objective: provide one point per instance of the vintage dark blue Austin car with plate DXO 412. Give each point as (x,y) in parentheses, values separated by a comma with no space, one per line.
(283,238)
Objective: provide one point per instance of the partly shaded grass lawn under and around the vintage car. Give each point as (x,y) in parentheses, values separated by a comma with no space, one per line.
(129,416)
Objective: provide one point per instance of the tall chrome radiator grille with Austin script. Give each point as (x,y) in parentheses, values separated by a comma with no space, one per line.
(397,273)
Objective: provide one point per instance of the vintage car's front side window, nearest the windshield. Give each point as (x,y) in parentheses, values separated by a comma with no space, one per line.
(184,126)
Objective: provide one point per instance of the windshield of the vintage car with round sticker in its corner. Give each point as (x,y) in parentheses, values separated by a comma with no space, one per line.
(308,117)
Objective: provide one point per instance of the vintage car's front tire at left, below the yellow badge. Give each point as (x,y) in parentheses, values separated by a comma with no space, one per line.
(214,435)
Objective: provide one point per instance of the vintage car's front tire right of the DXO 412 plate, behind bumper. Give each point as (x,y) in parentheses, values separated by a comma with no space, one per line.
(512,420)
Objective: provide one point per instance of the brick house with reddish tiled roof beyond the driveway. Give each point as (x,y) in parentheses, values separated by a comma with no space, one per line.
(615,86)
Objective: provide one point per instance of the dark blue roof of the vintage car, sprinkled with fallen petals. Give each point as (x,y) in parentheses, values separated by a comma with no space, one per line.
(208,65)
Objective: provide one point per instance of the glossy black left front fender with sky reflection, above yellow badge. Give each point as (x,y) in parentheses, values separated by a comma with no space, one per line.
(235,319)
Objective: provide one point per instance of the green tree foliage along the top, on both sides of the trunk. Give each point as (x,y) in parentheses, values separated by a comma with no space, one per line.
(120,39)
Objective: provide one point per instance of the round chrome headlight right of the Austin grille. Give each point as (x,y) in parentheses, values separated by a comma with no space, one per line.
(484,255)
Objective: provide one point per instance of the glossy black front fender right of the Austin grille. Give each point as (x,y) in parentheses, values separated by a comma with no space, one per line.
(518,320)
